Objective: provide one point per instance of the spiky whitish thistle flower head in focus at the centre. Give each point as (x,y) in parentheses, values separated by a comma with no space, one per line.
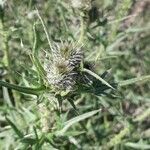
(61,68)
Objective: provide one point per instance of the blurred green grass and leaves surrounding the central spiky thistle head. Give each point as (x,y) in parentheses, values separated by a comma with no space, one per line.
(116,42)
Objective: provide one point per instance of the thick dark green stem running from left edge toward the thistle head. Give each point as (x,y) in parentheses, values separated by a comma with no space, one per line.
(34,91)
